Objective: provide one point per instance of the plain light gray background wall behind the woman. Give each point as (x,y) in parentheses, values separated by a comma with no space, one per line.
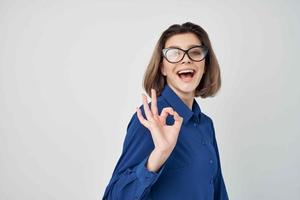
(66,97)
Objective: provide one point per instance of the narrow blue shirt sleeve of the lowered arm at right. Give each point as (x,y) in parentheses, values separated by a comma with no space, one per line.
(220,192)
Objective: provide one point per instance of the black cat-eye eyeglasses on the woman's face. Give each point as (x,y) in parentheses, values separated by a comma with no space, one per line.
(175,54)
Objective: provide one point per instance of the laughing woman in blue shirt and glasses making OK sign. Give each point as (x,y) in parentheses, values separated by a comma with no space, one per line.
(170,149)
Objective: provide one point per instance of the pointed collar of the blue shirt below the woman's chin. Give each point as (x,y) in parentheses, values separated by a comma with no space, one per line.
(179,106)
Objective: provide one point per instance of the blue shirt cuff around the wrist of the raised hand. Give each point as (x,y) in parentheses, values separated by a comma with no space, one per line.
(145,176)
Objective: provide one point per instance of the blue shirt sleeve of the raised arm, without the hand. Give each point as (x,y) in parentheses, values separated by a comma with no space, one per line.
(131,179)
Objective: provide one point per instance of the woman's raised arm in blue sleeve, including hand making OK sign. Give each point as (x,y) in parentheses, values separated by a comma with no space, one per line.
(149,142)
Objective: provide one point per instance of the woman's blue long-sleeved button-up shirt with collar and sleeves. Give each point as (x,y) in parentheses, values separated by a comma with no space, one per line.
(192,171)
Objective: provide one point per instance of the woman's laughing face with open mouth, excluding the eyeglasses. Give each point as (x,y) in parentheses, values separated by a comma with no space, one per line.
(185,84)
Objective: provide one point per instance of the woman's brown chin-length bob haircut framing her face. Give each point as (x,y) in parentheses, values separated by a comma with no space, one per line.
(211,80)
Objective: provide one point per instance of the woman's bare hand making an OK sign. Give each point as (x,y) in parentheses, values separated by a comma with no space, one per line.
(164,136)
